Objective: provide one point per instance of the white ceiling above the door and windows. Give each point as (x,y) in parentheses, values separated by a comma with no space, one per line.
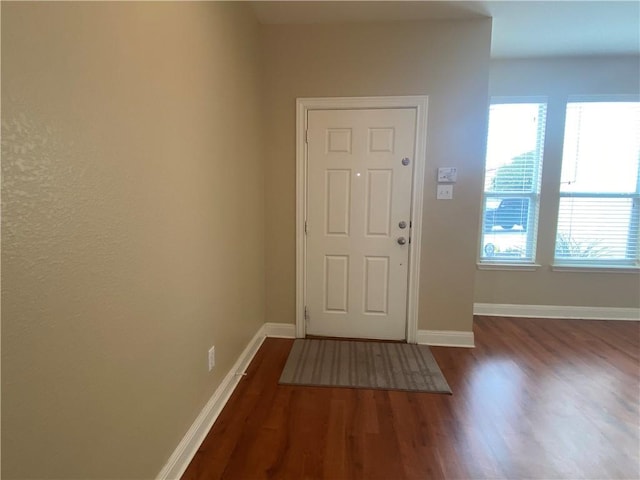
(520,28)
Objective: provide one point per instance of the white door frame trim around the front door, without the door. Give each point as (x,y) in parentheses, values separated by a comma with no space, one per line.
(303,106)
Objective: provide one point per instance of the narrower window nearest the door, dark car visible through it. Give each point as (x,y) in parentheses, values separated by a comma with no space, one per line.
(512,182)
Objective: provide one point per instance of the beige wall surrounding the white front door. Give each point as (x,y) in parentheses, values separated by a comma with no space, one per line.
(447,60)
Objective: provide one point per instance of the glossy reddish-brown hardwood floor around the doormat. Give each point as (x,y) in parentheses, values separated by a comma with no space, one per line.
(534,399)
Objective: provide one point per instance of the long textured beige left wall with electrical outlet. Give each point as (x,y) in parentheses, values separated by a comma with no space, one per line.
(132,227)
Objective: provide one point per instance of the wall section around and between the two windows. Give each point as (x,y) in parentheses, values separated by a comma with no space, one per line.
(556,79)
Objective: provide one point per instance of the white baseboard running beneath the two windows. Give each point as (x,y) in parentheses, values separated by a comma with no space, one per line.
(556,311)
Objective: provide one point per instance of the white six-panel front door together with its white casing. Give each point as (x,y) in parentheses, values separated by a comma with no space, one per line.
(353,277)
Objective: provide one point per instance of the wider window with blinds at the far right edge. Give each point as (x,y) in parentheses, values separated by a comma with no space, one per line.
(598,216)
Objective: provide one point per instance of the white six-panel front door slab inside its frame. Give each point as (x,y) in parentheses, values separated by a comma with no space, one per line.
(360,170)
